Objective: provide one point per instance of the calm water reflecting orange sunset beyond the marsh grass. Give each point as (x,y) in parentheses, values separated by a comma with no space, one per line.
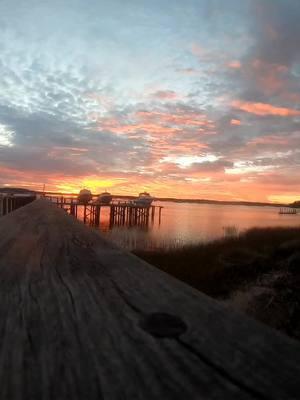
(184,223)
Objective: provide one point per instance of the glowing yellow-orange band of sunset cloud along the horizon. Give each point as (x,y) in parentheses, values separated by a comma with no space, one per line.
(210,184)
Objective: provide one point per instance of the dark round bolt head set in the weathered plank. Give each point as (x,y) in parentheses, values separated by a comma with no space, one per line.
(163,325)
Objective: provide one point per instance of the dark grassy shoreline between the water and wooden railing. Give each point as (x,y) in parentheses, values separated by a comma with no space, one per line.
(257,273)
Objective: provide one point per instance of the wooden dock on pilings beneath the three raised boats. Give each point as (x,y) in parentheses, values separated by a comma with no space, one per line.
(120,212)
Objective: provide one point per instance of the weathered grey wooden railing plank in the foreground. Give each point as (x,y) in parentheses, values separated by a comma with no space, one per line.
(81,319)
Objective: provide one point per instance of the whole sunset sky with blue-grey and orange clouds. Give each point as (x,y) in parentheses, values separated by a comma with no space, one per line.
(187,99)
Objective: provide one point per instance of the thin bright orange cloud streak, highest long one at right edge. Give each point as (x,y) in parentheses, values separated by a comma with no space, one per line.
(264,109)
